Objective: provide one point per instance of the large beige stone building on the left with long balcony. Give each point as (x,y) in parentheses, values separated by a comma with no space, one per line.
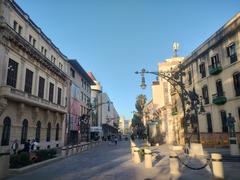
(33,82)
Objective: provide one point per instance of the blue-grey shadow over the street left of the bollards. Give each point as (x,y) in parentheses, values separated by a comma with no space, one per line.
(86,165)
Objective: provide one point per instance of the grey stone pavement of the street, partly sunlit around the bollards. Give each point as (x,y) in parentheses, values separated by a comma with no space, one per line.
(113,162)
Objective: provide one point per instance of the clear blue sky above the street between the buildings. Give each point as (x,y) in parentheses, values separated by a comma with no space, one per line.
(114,38)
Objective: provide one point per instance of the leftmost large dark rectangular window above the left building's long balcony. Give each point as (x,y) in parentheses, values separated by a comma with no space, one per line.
(12,73)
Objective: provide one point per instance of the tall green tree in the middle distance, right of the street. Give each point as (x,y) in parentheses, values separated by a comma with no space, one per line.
(137,123)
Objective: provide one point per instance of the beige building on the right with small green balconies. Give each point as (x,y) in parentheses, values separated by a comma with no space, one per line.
(213,70)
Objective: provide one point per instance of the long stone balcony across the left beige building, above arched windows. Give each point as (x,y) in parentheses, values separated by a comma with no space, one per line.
(32,100)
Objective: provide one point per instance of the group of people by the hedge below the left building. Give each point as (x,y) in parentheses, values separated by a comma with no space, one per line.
(28,146)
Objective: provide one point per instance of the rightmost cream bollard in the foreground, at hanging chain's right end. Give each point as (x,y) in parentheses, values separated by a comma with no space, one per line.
(217,166)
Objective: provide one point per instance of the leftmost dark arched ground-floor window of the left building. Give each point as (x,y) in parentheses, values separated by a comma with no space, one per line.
(6,131)
